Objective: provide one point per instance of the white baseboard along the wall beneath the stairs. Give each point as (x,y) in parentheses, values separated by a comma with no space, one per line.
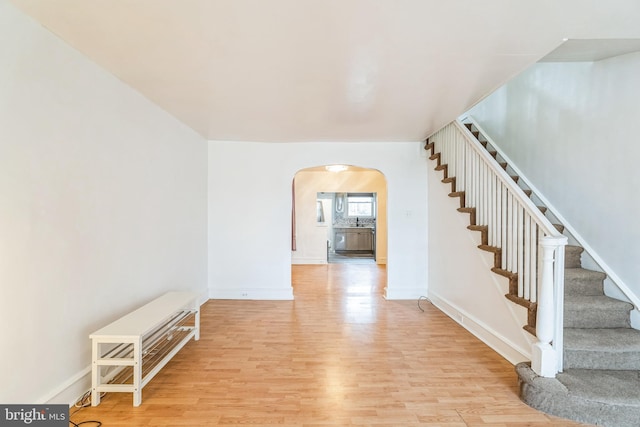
(513,353)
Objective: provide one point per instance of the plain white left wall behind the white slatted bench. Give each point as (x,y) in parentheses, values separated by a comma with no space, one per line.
(102,208)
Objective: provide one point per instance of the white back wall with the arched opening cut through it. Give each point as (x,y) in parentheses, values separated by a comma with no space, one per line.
(250,213)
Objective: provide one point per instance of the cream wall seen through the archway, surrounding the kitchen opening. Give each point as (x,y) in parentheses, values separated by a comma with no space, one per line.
(311,237)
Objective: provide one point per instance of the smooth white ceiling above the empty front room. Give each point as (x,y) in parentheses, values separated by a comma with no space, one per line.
(323,70)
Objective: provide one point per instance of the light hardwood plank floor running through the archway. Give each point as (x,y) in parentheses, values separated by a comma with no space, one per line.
(338,355)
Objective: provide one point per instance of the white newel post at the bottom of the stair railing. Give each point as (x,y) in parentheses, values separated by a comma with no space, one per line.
(544,358)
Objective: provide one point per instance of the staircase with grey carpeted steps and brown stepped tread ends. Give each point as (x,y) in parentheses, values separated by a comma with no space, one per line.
(600,382)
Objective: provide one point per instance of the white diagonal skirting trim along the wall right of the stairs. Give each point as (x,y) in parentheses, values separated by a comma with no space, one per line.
(617,281)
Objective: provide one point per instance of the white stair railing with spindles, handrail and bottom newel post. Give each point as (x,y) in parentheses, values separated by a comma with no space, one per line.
(529,245)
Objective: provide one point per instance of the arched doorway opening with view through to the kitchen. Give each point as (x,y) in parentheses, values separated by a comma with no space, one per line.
(339,209)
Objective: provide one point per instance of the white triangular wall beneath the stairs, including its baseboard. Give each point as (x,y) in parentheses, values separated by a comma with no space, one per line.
(461,282)
